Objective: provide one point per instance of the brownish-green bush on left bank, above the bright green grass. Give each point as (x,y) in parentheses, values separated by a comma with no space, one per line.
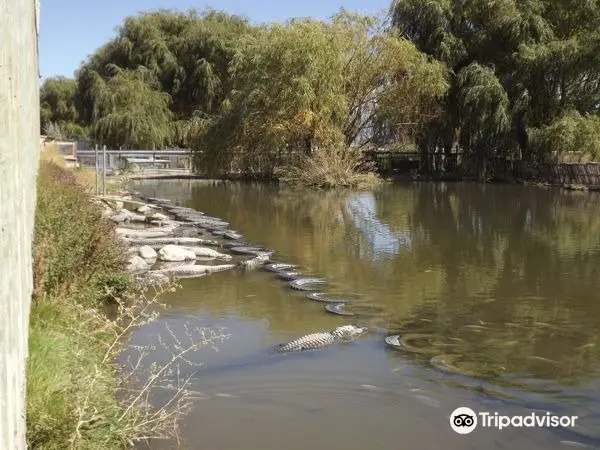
(75,248)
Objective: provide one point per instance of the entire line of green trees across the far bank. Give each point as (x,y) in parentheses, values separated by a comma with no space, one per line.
(489,79)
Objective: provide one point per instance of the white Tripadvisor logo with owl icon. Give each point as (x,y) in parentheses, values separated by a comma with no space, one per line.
(464,420)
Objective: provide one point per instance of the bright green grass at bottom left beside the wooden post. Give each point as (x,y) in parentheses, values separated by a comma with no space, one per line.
(65,349)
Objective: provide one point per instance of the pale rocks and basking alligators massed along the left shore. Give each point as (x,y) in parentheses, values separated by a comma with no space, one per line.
(166,242)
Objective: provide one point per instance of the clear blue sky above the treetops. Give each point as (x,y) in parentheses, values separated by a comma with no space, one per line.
(70,30)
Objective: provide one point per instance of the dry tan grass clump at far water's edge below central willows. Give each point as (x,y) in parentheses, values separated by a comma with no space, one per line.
(332,167)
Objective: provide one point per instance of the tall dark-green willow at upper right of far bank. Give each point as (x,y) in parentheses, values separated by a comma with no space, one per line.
(542,53)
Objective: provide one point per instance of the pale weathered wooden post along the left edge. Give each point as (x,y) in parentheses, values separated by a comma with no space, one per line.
(19,156)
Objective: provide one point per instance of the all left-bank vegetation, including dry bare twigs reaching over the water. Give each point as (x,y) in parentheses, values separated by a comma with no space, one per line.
(84,308)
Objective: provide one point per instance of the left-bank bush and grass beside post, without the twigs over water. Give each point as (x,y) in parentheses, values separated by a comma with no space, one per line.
(78,268)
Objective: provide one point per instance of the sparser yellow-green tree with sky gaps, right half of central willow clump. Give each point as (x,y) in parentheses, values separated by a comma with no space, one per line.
(387,81)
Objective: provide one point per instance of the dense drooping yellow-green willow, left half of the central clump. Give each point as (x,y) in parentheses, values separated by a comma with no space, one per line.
(287,97)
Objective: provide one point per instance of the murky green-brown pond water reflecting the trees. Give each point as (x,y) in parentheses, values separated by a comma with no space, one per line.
(495,290)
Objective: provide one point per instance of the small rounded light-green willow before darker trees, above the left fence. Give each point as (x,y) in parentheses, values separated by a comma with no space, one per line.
(130,110)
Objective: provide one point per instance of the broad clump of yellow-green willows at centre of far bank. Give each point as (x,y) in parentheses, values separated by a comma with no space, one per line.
(308,85)
